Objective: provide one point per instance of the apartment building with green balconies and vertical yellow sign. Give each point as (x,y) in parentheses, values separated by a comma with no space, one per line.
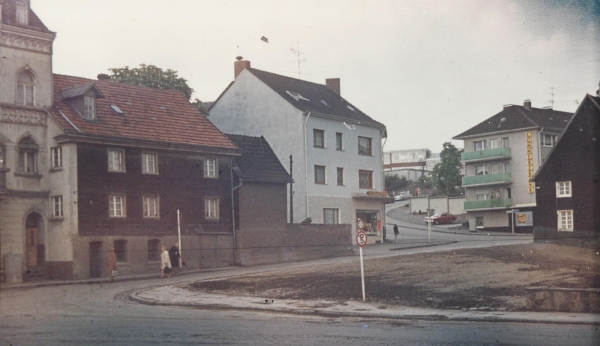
(500,157)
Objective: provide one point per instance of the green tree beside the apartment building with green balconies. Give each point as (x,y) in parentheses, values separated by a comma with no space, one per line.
(446,174)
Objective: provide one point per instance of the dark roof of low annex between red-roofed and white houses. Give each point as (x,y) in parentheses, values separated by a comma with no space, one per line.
(258,162)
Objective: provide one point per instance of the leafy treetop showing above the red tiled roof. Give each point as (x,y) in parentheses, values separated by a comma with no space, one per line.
(153,77)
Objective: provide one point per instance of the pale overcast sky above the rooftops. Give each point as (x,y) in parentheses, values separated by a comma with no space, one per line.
(427,69)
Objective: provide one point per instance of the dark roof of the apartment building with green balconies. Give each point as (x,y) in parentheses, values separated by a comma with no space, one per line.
(519,117)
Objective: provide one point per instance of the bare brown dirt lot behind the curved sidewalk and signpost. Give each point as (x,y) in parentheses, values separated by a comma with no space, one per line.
(488,278)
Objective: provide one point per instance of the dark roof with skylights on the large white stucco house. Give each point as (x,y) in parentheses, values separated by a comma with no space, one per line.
(313,97)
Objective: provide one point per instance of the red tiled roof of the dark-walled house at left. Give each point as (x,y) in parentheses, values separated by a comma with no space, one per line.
(148,114)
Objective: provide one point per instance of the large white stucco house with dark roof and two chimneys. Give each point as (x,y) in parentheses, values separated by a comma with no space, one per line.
(336,149)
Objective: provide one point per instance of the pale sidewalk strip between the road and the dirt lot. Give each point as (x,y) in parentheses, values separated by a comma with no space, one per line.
(178,295)
